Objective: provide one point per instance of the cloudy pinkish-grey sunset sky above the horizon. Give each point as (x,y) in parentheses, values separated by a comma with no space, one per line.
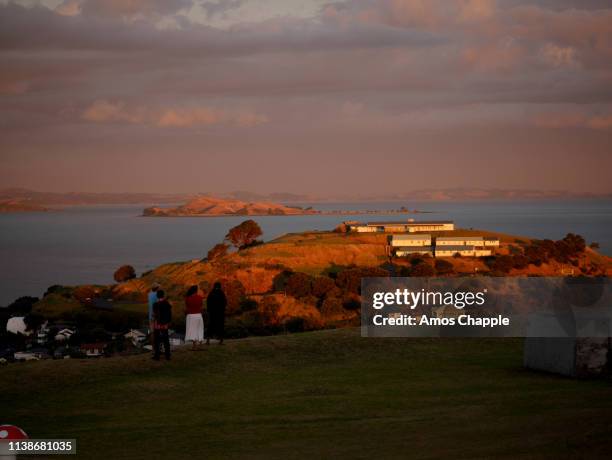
(309,96)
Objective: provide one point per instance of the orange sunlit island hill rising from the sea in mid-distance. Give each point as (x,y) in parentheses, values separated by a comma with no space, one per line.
(213,206)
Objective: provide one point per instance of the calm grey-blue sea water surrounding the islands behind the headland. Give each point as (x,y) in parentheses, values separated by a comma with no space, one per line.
(86,244)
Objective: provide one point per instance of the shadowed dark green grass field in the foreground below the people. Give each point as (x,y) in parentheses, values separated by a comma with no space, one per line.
(324,394)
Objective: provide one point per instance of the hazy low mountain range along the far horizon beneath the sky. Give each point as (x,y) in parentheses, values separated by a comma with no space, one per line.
(19,199)
